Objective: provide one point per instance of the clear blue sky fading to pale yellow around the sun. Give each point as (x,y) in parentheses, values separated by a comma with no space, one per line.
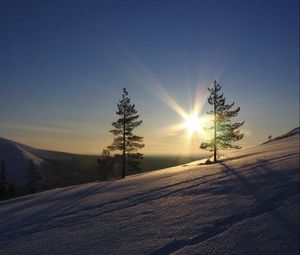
(63,65)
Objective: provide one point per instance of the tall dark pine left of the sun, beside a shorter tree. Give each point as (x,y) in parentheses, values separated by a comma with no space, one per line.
(125,141)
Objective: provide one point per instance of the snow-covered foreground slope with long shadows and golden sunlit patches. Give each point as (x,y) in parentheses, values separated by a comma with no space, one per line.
(248,204)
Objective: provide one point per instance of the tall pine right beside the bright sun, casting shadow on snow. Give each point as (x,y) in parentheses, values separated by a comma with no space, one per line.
(225,132)
